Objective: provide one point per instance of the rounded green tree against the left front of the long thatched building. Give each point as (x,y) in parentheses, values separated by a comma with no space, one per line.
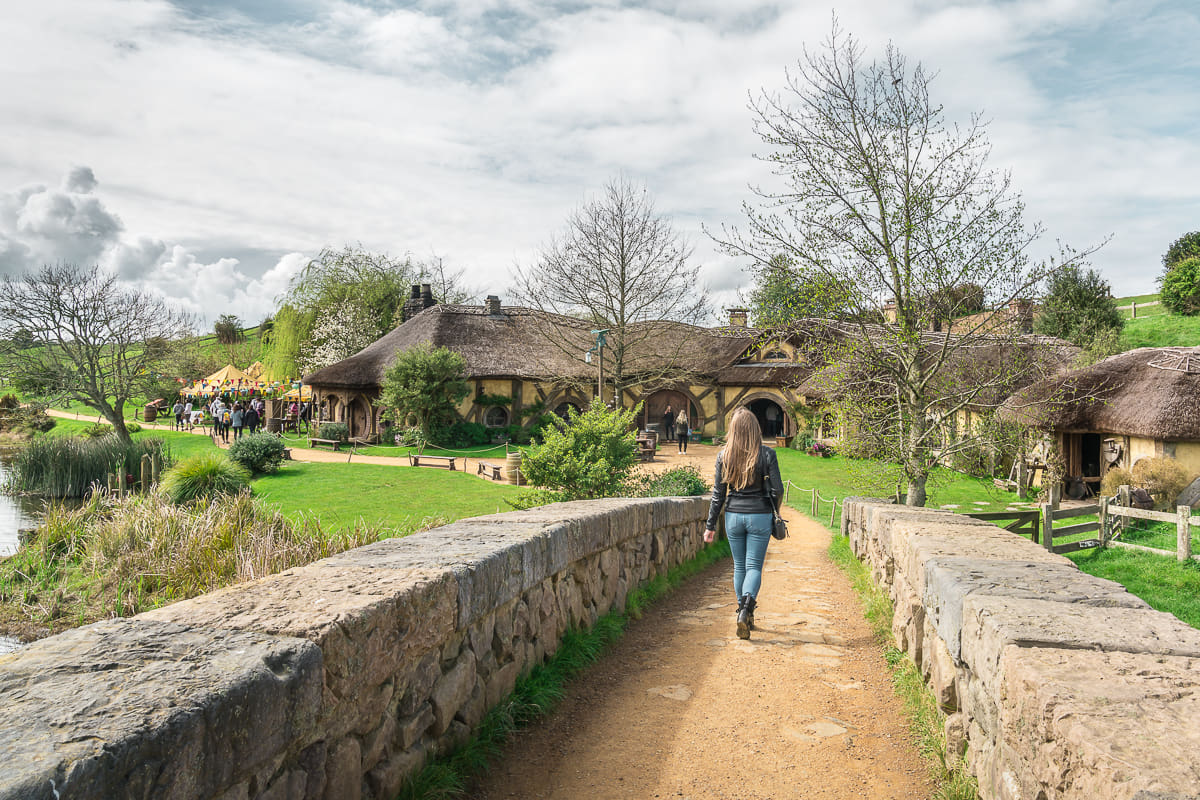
(425,384)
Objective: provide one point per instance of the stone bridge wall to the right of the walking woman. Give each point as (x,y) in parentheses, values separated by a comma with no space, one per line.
(1060,685)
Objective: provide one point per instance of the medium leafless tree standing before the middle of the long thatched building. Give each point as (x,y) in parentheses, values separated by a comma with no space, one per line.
(621,267)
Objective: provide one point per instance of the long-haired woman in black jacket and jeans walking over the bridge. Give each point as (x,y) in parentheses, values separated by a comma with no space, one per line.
(743,470)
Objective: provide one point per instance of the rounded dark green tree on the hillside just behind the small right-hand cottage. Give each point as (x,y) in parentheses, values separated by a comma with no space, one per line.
(1078,306)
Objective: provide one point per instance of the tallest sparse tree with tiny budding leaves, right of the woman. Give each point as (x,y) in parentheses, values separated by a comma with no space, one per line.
(895,208)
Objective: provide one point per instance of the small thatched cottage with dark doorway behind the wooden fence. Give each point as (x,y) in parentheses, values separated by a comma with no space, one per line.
(1132,406)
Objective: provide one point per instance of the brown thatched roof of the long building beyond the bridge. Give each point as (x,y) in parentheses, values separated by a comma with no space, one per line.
(532,345)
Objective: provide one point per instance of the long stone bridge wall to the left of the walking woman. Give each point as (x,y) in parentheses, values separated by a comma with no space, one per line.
(329,682)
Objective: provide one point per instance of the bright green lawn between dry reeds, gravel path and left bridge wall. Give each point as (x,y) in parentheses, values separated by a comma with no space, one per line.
(400,498)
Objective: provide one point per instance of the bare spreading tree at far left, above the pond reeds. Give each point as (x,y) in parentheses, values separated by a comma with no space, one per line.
(76,333)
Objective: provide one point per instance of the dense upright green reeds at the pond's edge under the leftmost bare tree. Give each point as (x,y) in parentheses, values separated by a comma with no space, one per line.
(69,467)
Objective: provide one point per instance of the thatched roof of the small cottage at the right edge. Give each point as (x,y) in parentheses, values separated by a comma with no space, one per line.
(1153,393)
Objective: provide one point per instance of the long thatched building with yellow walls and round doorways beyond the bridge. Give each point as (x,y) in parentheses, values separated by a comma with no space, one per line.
(535,358)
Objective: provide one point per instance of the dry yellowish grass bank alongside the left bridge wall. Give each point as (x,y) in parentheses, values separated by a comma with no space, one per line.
(117,557)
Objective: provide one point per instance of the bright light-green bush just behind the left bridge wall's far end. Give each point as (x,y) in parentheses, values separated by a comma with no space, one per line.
(589,456)
